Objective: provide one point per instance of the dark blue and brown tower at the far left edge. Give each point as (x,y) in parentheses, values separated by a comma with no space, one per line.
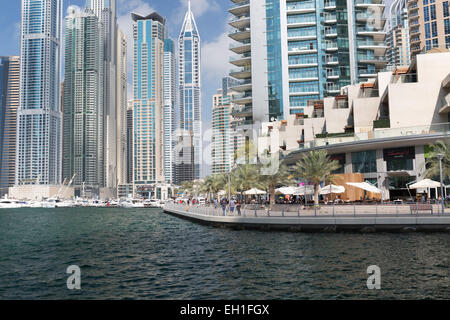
(9,102)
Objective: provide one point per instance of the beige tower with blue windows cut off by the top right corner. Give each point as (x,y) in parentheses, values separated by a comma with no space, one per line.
(429,25)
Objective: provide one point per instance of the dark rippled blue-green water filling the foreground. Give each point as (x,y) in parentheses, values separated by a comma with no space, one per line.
(146,254)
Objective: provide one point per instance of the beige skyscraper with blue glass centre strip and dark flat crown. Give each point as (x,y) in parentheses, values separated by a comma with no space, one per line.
(148,103)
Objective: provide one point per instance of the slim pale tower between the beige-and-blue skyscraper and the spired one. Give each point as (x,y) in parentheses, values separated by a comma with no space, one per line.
(170,97)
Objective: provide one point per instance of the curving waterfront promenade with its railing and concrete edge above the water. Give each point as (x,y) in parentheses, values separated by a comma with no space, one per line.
(365,218)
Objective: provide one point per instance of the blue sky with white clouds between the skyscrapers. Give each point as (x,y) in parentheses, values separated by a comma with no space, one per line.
(211,17)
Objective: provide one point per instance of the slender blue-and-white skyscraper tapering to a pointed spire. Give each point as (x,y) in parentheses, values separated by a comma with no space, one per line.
(189,49)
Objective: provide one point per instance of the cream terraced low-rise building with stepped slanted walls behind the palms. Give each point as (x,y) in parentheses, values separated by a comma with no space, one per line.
(380,130)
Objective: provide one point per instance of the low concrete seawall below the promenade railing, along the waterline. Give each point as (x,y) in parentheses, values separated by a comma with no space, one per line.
(385,223)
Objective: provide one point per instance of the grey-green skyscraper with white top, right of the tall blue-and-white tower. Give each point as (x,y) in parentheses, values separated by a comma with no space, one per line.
(83,100)
